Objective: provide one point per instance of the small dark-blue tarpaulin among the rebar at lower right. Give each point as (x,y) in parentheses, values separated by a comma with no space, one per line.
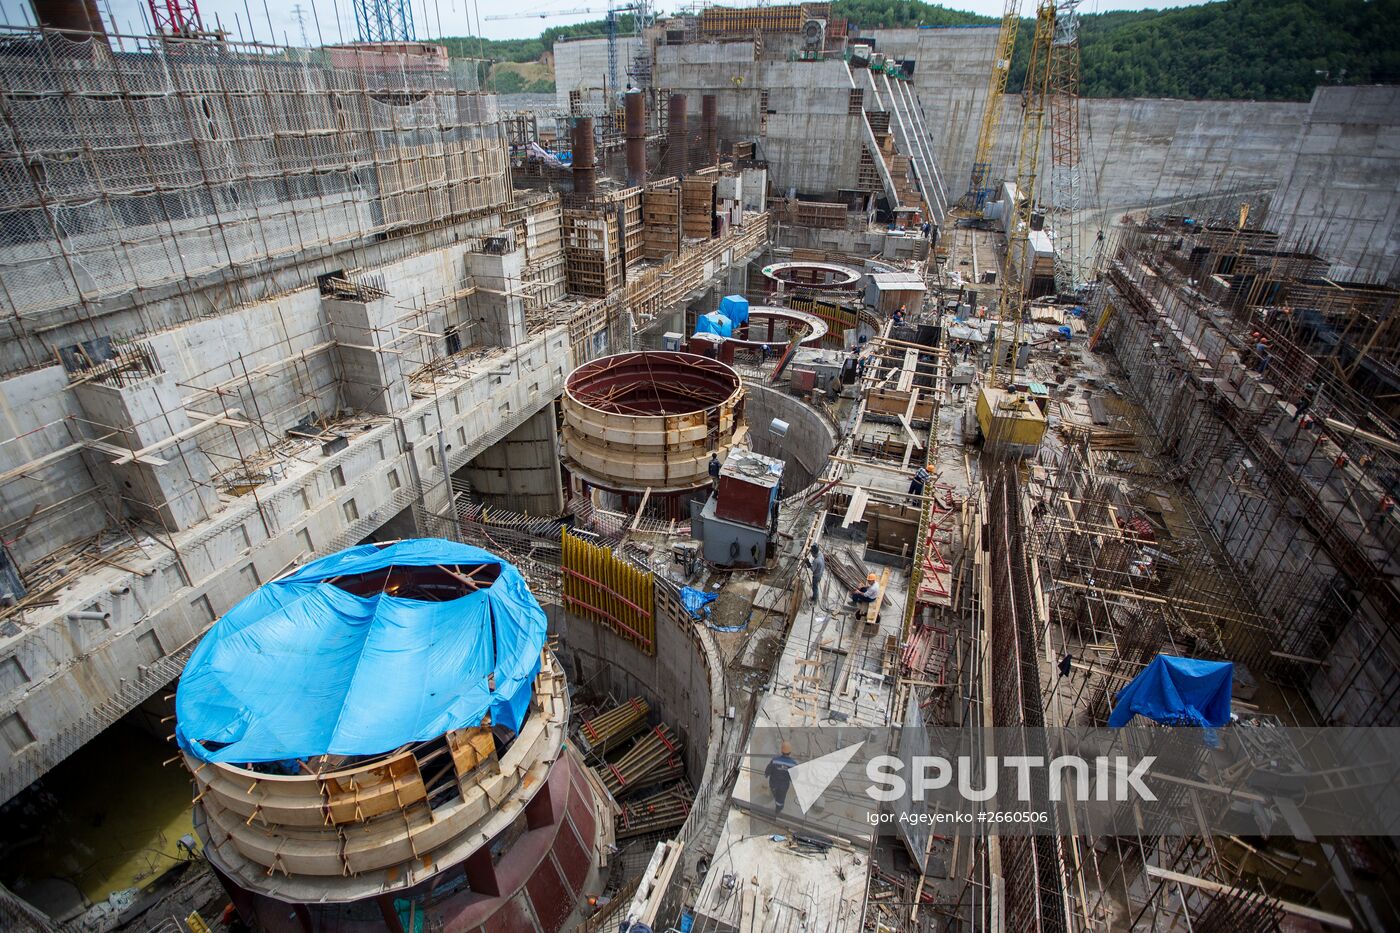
(1177,691)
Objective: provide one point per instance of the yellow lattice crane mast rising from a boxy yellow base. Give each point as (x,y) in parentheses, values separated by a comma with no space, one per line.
(1010,418)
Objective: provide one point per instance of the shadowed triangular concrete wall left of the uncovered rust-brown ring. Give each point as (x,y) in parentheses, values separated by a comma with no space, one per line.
(521,471)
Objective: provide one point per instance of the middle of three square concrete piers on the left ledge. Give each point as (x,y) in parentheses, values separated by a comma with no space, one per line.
(372,372)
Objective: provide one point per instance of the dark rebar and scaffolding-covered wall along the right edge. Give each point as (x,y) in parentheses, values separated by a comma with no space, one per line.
(1282,446)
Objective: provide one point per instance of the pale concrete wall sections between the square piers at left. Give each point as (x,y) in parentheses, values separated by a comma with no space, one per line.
(275,362)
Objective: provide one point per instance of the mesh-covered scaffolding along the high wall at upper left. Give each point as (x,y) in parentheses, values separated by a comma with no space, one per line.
(132,163)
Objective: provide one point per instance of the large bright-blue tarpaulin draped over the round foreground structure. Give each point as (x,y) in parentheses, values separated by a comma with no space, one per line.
(302,668)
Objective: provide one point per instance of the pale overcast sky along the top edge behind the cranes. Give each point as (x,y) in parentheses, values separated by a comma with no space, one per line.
(275,20)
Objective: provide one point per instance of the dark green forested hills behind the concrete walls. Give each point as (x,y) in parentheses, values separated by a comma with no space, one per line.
(1237,50)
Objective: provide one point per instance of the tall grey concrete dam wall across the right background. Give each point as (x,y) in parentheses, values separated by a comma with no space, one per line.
(1331,169)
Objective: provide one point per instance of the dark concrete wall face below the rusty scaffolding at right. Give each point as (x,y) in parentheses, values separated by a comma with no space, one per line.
(1269,536)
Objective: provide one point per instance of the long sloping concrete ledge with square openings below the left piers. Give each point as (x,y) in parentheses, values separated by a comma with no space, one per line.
(75,677)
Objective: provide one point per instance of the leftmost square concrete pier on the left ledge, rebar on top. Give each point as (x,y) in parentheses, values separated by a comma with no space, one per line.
(170,485)
